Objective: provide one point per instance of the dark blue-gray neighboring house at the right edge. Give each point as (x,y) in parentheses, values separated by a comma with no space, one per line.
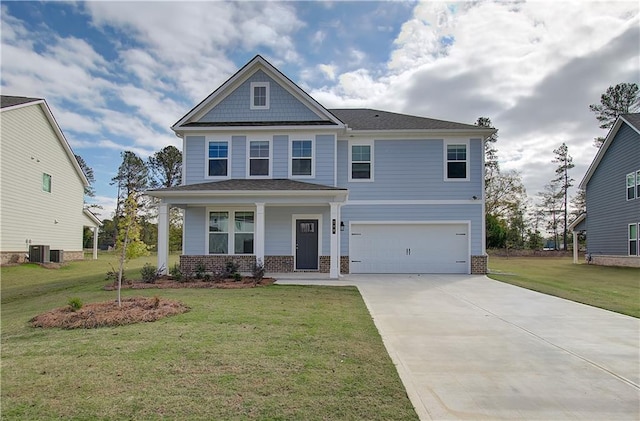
(612,190)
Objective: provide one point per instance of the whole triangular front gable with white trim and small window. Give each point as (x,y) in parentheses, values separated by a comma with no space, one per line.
(258,95)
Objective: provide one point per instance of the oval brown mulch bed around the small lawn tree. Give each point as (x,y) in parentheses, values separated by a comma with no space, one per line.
(132,310)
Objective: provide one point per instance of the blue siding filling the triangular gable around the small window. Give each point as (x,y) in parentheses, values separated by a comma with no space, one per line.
(283,105)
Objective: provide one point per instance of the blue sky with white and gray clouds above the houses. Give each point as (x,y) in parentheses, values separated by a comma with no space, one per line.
(118,74)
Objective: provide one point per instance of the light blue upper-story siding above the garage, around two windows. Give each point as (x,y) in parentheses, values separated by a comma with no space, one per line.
(411,170)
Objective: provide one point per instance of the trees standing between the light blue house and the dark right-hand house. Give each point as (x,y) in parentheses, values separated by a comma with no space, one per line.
(513,219)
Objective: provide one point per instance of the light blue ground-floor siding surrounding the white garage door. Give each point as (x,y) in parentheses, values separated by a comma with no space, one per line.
(471,213)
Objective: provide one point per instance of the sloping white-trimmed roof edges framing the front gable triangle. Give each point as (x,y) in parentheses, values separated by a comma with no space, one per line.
(257,63)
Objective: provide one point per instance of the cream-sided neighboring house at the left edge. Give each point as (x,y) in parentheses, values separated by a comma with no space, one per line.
(41,184)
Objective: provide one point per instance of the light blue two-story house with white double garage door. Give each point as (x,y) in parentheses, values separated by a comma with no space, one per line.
(272,176)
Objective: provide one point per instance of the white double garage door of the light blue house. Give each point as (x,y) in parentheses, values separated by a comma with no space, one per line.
(409,248)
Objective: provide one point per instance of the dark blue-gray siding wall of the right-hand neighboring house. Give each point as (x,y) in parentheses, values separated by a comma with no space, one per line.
(609,213)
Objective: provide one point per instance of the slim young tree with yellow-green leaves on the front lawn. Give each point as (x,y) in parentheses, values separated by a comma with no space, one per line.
(129,244)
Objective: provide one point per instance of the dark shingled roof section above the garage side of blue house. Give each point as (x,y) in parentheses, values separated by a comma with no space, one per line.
(368,119)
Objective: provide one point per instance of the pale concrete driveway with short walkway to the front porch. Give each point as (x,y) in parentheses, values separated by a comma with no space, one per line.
(468,347)
